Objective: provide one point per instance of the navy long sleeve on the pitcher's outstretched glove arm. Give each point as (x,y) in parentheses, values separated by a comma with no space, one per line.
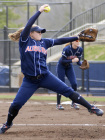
(64,40)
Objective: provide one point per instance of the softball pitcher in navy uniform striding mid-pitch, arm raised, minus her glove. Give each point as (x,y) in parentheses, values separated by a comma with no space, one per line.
(33,53)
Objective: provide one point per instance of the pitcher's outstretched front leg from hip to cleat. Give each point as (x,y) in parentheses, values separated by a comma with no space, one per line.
(55,84)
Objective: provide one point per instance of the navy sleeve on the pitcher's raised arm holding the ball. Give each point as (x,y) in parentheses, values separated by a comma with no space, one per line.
(26,31)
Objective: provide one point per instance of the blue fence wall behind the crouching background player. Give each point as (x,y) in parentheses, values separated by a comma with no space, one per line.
(91,81)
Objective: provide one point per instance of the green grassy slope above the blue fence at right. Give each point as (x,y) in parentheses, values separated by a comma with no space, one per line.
(95,52)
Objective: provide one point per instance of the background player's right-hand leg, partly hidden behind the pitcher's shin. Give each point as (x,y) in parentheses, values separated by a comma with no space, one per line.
(72,79)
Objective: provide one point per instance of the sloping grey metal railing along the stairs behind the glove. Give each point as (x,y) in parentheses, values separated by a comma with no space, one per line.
(93,15)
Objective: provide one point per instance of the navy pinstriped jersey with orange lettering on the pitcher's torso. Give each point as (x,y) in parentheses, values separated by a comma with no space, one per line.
(33,56)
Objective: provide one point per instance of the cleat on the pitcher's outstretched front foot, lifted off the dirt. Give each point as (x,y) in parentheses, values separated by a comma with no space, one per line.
(95,110)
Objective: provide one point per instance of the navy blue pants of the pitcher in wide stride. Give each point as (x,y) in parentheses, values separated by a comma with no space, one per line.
(48,81)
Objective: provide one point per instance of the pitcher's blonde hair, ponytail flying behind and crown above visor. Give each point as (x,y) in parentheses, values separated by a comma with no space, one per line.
(16,35)
